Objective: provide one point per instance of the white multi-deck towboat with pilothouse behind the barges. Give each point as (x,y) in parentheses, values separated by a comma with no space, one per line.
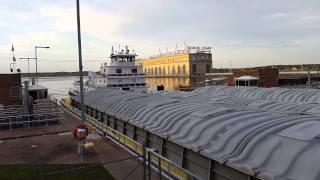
(120,72)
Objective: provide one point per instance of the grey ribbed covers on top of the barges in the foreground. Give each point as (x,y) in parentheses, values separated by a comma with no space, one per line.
(273,131)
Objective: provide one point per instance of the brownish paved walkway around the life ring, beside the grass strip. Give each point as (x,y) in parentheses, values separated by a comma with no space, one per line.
(50,146)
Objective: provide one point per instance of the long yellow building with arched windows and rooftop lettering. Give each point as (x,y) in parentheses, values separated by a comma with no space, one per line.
(192,62)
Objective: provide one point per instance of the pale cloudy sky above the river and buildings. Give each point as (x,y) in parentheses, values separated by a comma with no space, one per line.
(243,33)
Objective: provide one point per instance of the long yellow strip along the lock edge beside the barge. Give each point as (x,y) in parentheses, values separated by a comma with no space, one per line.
(160,163)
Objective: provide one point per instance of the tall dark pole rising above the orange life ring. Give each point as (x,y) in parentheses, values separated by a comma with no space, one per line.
(80,63)
